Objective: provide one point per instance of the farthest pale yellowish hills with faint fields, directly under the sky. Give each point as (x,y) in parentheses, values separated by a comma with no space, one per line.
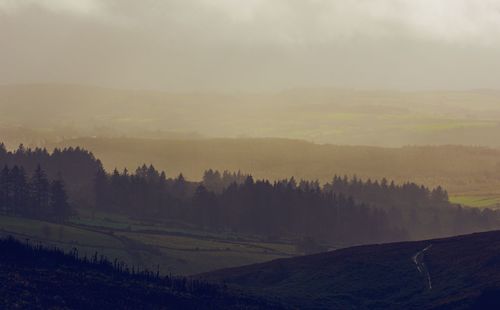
(352,117)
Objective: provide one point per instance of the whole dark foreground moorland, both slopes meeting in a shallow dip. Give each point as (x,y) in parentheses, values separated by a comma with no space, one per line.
(455,273)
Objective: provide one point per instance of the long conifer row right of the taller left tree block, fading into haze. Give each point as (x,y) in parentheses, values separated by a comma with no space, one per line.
(347,211)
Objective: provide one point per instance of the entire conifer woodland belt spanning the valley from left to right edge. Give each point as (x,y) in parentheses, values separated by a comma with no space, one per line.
(343,211)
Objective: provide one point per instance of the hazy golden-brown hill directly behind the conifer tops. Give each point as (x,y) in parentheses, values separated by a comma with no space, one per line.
(459,169)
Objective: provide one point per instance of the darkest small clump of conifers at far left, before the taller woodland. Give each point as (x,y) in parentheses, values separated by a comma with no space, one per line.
(33,196)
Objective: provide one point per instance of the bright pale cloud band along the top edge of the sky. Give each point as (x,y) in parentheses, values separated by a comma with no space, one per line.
(295,21)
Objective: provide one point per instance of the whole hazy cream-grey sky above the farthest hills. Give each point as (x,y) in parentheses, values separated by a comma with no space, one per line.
(252,44)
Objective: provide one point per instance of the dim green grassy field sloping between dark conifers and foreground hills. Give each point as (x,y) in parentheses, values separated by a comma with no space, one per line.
(176,250)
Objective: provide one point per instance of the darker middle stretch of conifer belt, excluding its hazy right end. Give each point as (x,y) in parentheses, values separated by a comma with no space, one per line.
(254,207)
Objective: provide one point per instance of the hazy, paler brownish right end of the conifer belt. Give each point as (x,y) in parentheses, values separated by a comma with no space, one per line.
(423,212)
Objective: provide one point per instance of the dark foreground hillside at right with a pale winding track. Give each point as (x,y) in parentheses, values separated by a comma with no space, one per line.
(455,273)
